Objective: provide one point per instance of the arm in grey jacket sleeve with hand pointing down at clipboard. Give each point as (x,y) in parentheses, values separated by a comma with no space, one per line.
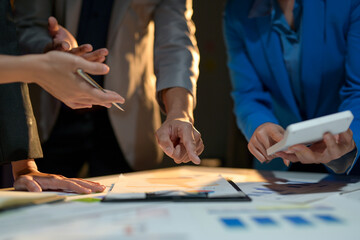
(176,60)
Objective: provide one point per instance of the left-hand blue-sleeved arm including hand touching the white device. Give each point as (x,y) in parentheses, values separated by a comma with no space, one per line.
(252,104)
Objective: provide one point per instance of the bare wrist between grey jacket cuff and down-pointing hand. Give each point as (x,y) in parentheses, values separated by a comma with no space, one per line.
(179,103)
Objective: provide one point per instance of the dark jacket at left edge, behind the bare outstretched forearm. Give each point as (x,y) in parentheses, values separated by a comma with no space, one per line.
(18,132)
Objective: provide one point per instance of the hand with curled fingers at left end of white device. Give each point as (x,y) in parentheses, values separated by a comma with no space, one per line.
(265,136)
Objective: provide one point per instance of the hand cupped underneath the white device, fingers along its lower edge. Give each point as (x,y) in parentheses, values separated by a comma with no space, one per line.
(330,148)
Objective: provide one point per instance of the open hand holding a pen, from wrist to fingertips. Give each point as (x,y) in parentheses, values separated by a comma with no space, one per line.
(57,76)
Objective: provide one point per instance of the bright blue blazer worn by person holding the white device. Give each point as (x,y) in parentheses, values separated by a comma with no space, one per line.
(330,65)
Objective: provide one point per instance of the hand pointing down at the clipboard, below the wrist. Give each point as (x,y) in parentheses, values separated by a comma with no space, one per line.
(179,139)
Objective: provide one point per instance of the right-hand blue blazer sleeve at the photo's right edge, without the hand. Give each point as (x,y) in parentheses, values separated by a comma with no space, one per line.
(350,92)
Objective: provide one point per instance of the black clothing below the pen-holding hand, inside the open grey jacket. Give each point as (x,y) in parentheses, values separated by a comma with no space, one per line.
(82,136)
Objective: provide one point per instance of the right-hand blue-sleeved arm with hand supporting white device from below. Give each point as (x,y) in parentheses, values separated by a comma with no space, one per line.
(340,152)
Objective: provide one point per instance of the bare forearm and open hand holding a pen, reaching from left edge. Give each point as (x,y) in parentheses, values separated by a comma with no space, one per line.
(55,73)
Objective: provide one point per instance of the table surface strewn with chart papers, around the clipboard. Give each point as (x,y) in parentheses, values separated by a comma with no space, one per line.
(284,205)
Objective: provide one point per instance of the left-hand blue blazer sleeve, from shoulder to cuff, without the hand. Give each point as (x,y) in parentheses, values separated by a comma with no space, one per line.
(252,103)
